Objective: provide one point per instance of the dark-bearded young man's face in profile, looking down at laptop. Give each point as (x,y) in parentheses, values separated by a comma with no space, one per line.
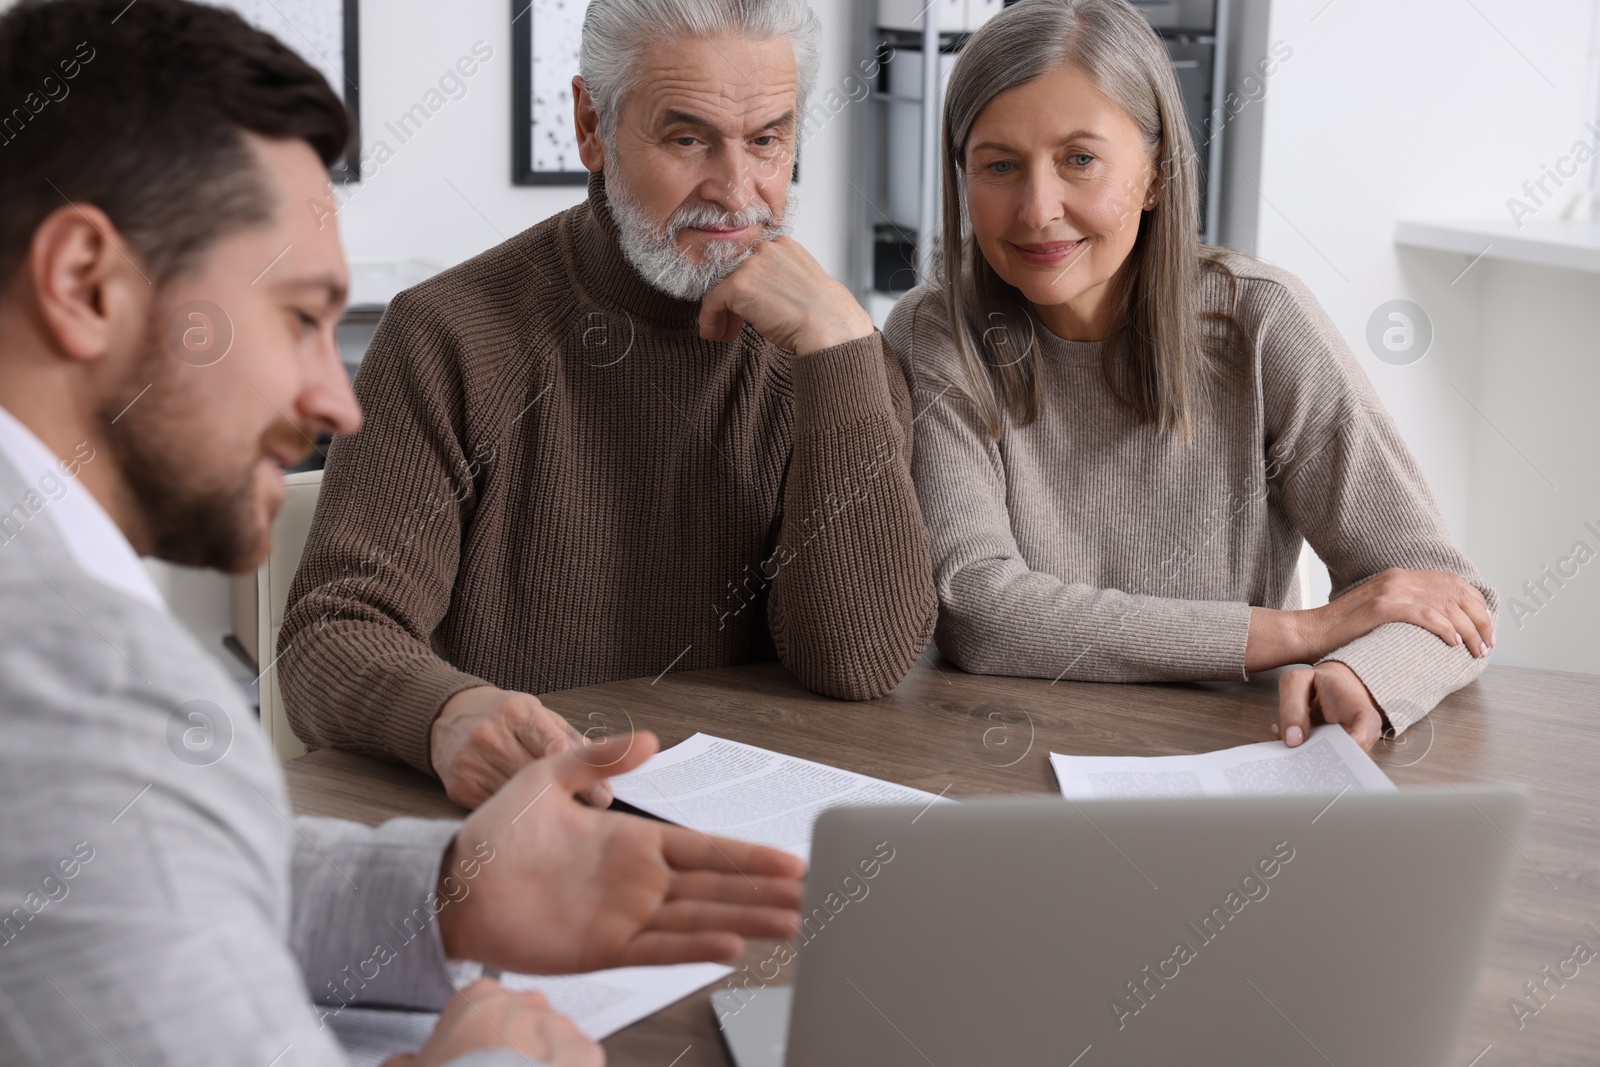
(244,374)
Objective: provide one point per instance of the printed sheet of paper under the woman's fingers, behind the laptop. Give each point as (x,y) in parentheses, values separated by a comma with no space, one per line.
(1326,764)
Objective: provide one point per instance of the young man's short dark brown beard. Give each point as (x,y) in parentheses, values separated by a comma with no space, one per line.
(191,516)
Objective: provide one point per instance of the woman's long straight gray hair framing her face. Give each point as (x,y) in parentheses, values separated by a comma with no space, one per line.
(1156,356)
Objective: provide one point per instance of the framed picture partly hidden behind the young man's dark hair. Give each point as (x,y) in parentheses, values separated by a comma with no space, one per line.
(327,36)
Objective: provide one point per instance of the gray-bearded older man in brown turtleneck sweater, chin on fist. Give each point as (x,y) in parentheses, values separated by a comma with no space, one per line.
(649,434)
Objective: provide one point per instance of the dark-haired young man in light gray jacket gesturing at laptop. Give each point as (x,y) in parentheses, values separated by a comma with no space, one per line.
(167,311)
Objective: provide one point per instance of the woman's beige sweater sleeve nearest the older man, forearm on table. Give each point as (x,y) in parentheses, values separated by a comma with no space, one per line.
(996,613)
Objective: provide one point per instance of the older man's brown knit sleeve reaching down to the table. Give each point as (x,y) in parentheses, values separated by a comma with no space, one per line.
(356,661)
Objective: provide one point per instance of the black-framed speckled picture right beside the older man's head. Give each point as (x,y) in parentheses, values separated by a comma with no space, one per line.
(545,38)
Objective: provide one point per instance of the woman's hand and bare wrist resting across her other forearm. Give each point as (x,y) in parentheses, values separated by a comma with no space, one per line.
(1439,602)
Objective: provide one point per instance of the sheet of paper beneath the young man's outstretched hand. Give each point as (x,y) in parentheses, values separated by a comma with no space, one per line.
(601,1004)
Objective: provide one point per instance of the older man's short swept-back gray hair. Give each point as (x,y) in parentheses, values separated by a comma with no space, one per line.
(617,31)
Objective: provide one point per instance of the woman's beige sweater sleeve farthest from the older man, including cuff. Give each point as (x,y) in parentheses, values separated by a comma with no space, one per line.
(1356,494)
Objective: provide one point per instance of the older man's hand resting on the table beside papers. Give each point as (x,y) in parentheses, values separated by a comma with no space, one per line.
(486,735)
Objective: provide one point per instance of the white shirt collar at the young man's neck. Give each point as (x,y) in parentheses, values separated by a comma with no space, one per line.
(97,545)
